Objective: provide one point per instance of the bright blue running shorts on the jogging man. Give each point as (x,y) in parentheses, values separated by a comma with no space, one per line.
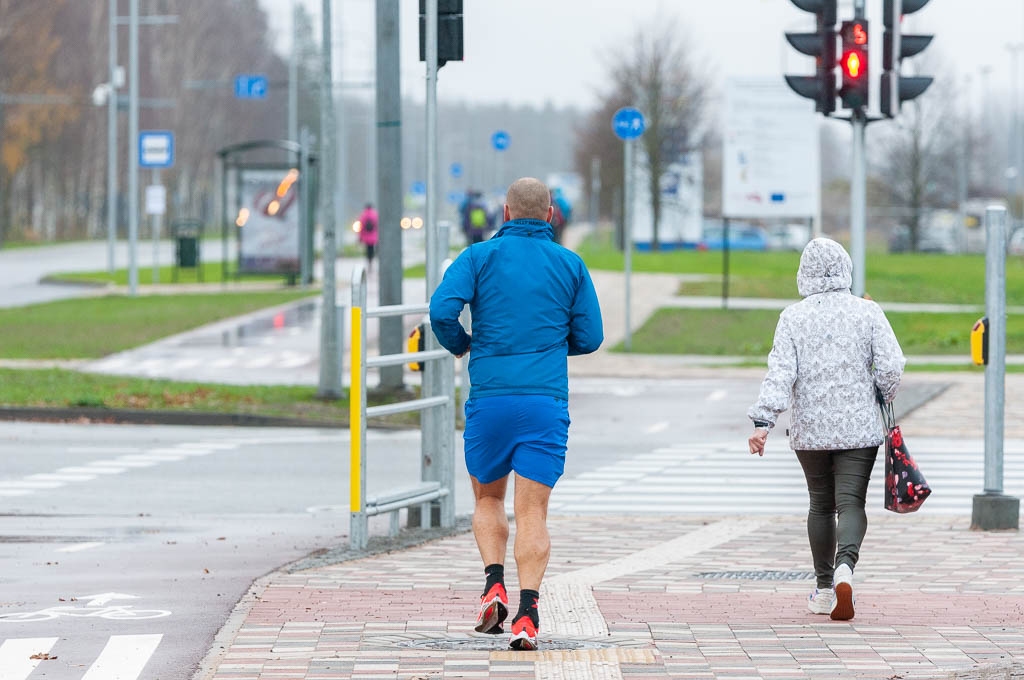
(526,433)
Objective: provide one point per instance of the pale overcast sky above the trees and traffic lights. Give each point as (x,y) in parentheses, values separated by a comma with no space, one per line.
(534,52)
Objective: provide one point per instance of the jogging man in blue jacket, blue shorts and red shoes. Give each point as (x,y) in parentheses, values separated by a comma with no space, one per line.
(533,305)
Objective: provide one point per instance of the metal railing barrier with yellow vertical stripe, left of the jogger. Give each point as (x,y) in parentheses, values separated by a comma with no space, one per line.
(437,403)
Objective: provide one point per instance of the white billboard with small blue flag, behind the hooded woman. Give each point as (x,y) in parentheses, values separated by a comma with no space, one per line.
(772,157)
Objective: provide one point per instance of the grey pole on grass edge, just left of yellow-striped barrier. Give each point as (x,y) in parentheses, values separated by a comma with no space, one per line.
(330,355)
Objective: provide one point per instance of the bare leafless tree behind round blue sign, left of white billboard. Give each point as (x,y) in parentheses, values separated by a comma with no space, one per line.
(655,74)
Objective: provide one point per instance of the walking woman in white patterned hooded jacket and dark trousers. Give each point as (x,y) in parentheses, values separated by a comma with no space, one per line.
(833,354)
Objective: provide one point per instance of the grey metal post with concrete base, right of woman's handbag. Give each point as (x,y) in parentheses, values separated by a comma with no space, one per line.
(994,511)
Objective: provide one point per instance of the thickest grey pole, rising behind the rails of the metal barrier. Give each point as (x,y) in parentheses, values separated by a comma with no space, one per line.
(390,187)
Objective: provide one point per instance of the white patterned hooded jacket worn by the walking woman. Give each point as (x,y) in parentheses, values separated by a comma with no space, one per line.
(831,351)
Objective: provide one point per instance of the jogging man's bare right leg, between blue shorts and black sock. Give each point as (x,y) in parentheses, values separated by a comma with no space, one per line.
(533,543)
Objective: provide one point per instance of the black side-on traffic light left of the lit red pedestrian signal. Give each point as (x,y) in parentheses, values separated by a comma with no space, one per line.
(821,46)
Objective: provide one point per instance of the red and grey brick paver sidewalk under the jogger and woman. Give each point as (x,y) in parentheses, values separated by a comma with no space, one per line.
(650,598)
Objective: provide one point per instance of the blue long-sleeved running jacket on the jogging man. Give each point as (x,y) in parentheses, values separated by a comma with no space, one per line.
(533,305)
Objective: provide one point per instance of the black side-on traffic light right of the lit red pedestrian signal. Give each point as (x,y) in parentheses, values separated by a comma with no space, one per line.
(898,89)
